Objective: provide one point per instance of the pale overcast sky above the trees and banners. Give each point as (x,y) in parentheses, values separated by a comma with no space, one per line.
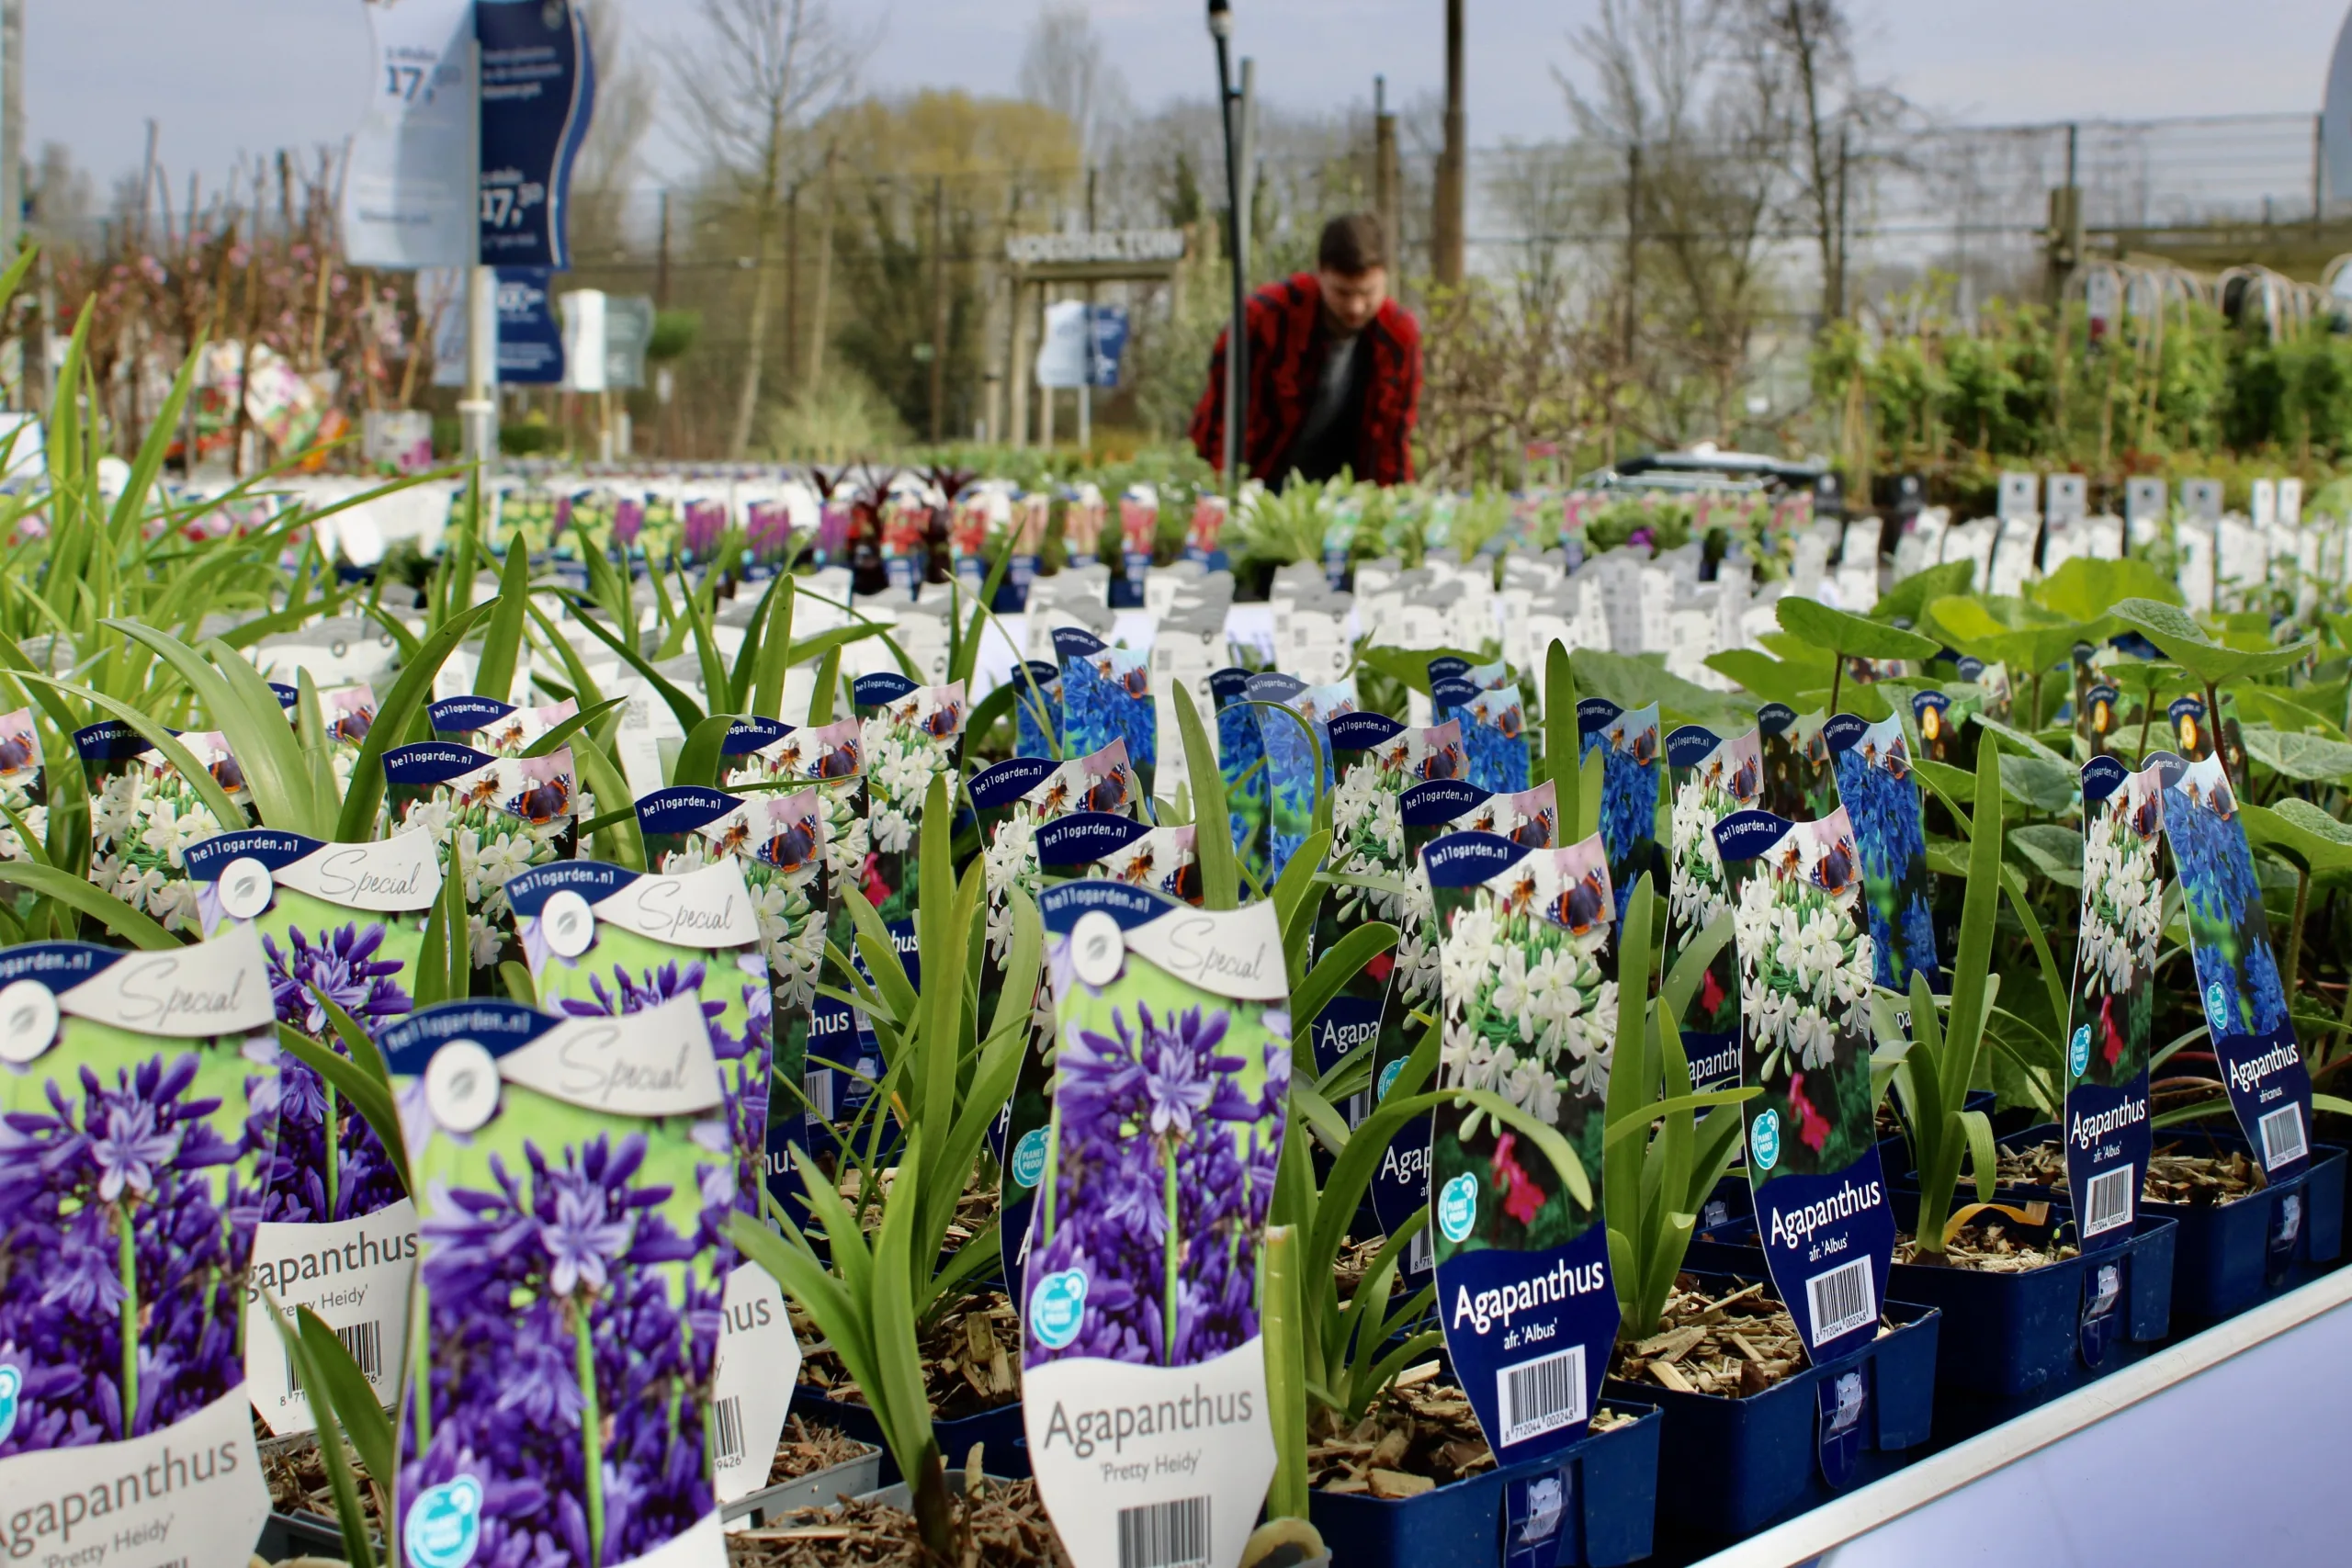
(248,76)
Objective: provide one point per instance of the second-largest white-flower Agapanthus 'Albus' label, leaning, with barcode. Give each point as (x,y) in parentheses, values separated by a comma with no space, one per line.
(1805,1010)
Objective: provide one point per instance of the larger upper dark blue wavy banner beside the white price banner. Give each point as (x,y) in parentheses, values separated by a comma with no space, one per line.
(537,98)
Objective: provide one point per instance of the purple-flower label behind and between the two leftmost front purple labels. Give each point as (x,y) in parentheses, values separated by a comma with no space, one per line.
(345,925)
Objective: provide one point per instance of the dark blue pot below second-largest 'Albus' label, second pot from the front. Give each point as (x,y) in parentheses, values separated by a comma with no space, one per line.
(1735,1466)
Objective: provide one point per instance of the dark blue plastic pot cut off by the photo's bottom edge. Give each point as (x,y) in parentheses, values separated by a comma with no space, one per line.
(1608,1492)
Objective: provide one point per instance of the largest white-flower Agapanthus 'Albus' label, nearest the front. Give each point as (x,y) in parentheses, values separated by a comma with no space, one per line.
(1528,1028)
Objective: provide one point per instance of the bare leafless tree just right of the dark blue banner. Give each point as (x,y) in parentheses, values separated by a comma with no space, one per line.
(747,91)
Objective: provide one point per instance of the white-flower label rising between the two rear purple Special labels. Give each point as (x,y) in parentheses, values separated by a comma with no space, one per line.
(493,817)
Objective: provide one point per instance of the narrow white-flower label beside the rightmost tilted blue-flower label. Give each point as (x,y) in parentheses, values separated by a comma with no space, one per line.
(2109,1137)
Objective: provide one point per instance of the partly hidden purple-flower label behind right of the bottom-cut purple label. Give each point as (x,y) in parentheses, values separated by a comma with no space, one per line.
(608,942)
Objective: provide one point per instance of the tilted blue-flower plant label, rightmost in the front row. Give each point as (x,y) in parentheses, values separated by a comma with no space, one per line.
(2238,981)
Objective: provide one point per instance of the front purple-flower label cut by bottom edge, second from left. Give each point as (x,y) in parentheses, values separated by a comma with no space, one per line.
(575,1179)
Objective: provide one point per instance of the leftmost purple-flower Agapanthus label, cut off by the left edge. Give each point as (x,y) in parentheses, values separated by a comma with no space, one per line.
(140,1097)
